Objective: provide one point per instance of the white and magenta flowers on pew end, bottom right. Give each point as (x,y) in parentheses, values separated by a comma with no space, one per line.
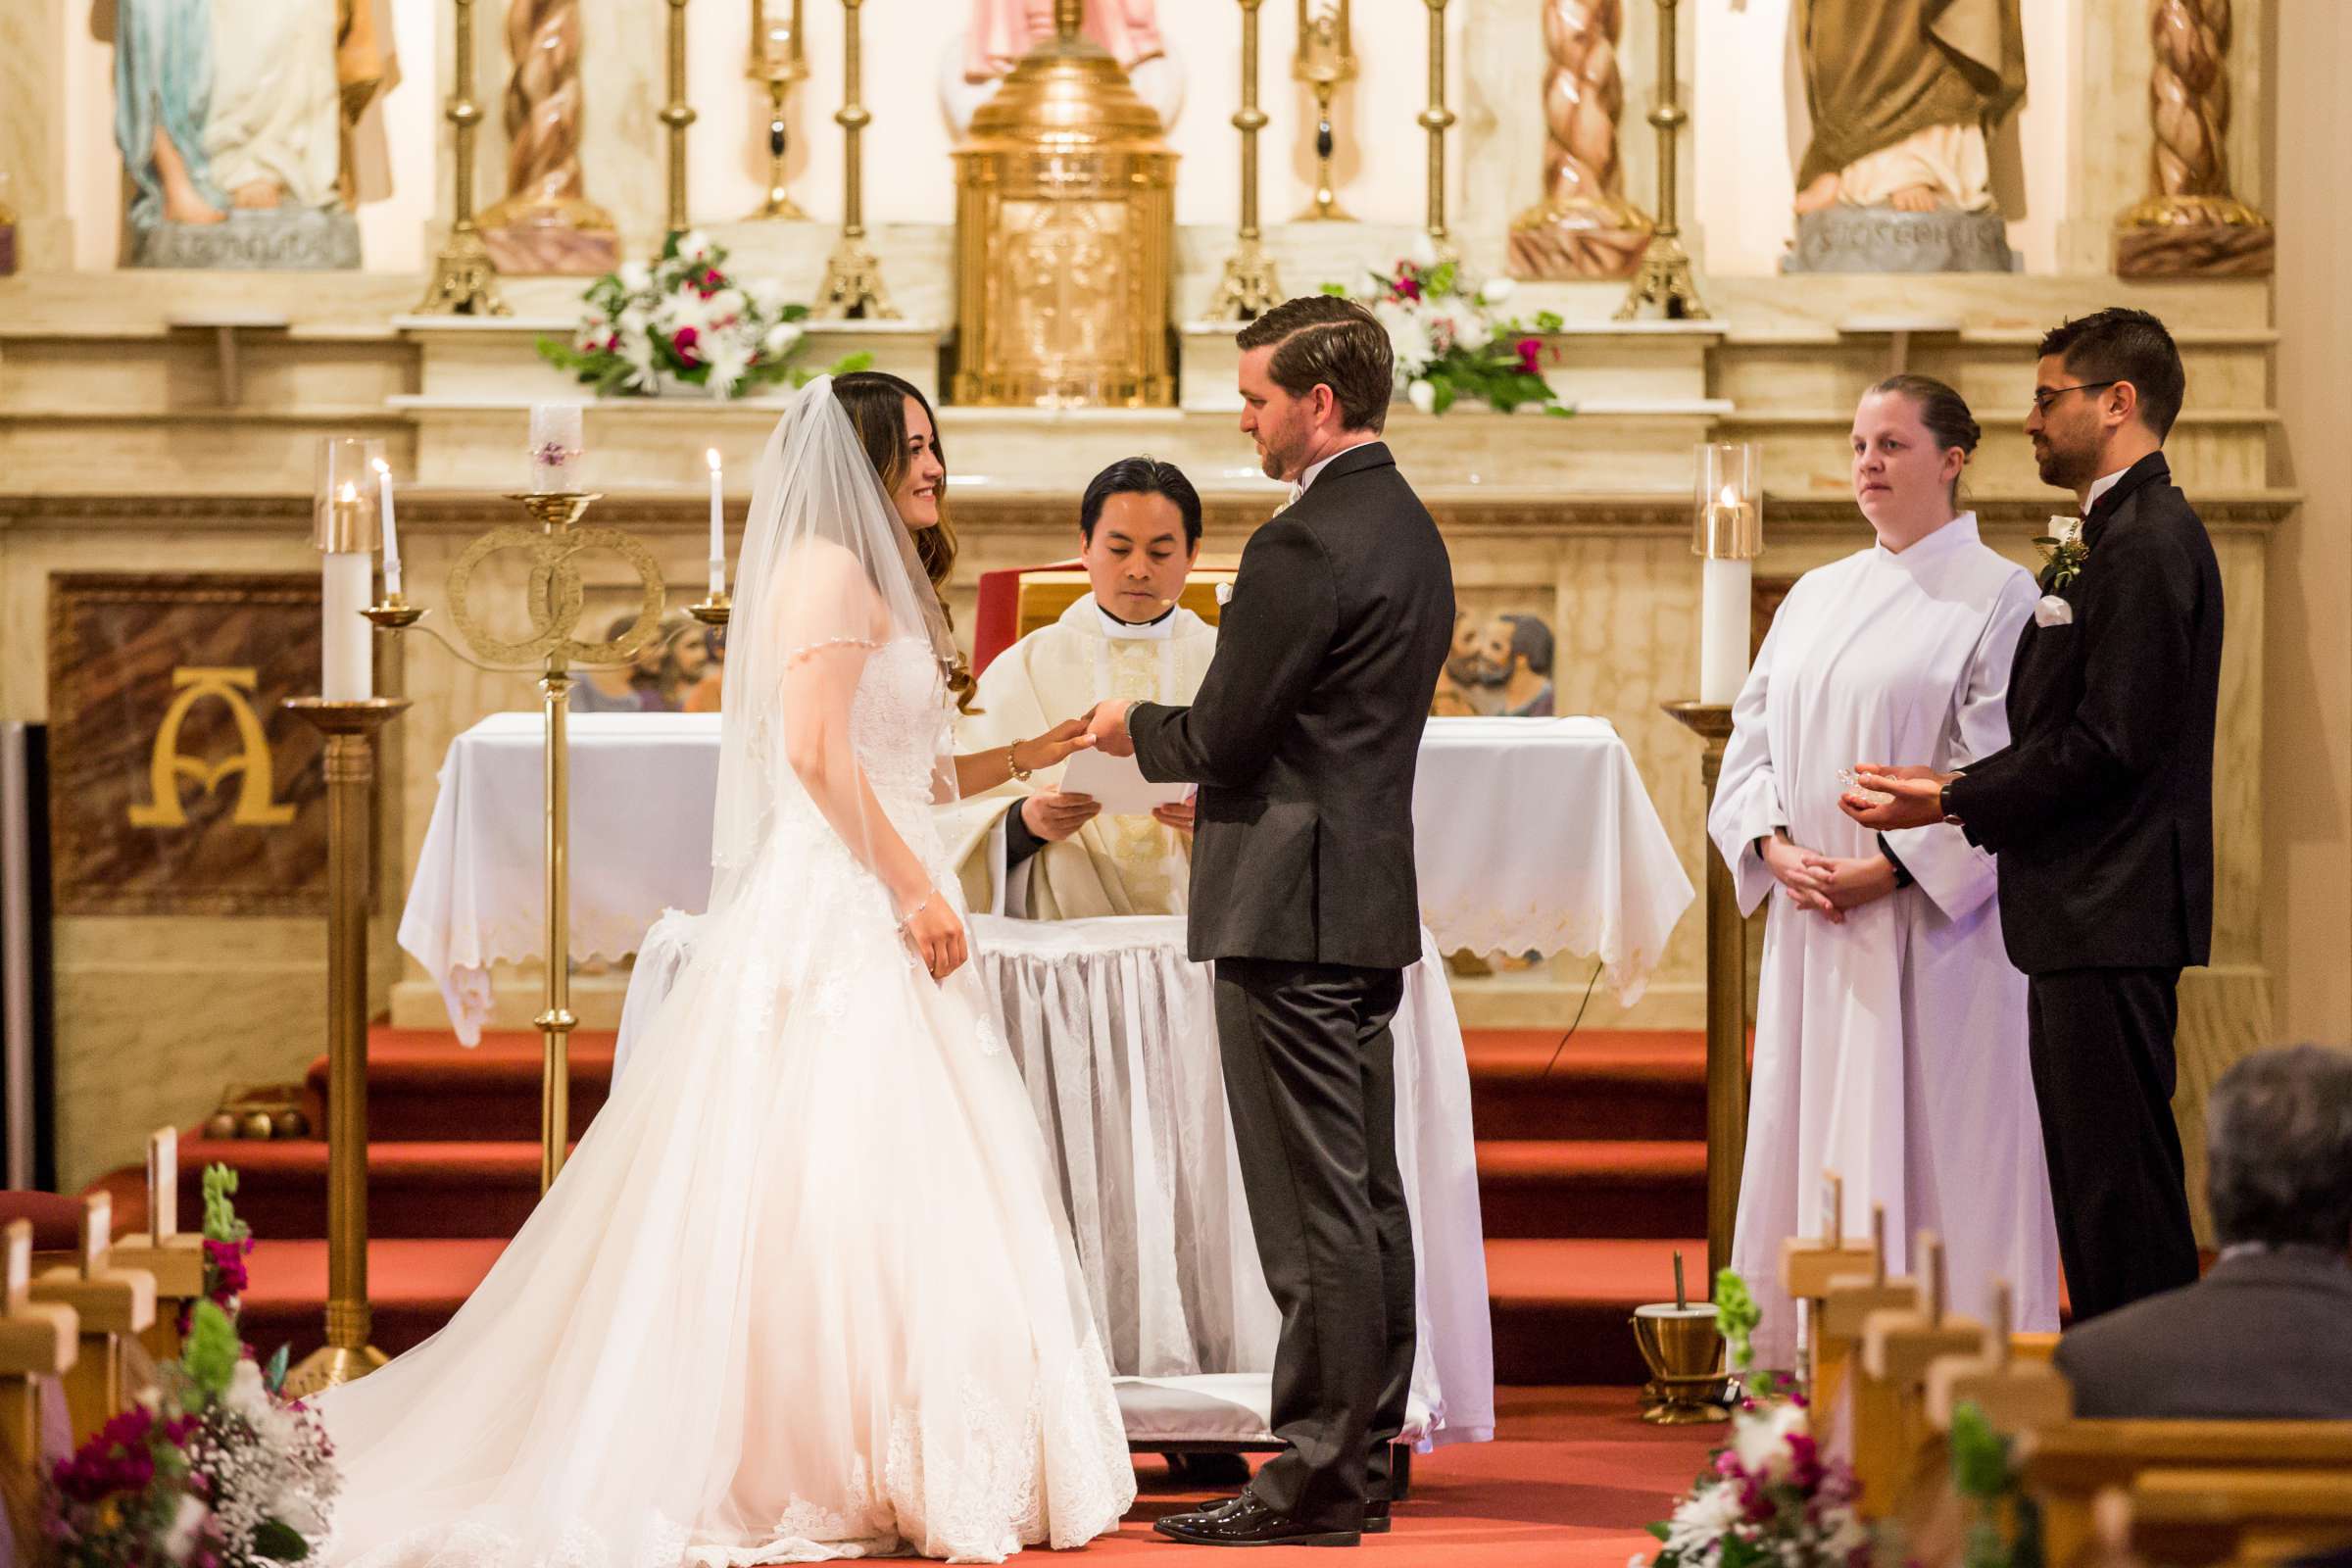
(1768,1499)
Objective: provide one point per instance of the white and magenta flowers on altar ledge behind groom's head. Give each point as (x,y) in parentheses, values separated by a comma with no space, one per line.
(1452,342)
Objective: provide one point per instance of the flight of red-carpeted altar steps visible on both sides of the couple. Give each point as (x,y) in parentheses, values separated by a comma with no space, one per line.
(1591,1174)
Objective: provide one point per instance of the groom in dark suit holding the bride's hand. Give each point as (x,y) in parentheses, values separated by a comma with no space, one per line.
(1304,742)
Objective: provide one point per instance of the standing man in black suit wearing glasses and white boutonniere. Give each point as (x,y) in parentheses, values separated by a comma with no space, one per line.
(2102,808)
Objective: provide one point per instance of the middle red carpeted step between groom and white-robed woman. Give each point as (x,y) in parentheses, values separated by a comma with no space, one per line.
(1561,1188)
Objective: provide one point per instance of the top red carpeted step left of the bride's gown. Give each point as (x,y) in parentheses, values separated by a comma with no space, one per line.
(427,1087)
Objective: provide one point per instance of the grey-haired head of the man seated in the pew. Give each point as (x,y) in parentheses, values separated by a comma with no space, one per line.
(2280,1151)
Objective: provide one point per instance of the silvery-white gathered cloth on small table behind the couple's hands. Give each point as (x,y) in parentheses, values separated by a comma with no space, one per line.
(1097,1010)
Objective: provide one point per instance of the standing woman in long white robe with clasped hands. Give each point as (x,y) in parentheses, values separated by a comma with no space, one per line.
(1890,1024)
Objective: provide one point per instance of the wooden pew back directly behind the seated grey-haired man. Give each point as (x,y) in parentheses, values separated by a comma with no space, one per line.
(2069,1466)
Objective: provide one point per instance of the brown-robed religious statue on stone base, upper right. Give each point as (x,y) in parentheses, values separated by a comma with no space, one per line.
(1904,98)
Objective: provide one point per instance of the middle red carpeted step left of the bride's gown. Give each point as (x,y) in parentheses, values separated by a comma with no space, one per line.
(415,1191)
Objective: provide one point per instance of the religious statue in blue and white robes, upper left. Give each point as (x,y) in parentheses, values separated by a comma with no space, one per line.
(234,123)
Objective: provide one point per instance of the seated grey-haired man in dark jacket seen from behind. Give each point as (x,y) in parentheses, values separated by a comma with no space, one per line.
(2264,1334)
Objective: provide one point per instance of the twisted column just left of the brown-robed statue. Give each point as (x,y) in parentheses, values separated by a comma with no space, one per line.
(1584,227)
